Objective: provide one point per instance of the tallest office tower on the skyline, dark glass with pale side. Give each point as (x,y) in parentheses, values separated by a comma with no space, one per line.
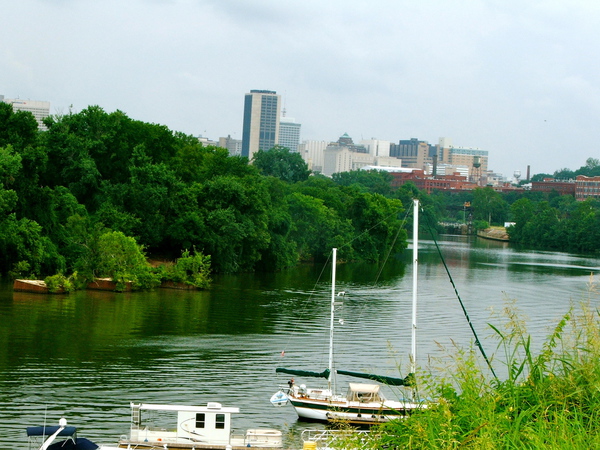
(261,122)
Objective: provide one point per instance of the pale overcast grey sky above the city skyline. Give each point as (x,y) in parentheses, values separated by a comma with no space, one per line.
(519,78)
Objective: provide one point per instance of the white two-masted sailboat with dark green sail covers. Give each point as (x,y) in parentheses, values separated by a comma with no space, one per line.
(363,403)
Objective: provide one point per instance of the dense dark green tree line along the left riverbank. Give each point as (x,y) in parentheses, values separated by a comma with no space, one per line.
(98,187)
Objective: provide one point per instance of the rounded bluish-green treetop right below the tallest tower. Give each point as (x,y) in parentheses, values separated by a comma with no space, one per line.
(279,162)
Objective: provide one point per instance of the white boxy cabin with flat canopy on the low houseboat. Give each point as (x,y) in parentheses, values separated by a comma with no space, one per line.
(194,424)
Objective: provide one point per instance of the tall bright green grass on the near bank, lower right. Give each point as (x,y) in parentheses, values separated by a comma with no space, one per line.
(547,399)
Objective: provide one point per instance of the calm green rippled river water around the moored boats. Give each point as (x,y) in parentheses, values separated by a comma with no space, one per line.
(88,354)
